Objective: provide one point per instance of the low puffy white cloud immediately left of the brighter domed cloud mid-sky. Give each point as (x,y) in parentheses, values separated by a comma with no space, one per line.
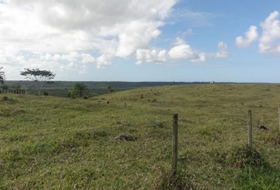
(150,56)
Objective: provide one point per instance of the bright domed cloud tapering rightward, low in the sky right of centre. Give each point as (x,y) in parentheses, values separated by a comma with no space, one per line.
(185,51)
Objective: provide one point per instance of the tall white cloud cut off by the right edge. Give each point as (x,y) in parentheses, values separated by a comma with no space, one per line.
(269,41)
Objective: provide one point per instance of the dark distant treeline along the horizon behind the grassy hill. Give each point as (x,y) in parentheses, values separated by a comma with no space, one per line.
(61,88)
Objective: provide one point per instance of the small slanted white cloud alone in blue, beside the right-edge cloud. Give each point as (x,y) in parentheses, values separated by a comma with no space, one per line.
(250,36)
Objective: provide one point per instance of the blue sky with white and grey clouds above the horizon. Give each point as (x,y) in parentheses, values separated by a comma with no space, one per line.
(142,40)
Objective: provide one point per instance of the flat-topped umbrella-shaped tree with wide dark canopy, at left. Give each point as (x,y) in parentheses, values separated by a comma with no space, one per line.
(38,76)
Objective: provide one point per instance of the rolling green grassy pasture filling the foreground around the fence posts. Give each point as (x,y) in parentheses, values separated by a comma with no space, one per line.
(59,143)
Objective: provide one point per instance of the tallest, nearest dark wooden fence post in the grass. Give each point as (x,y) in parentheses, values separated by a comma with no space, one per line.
(175,143)
